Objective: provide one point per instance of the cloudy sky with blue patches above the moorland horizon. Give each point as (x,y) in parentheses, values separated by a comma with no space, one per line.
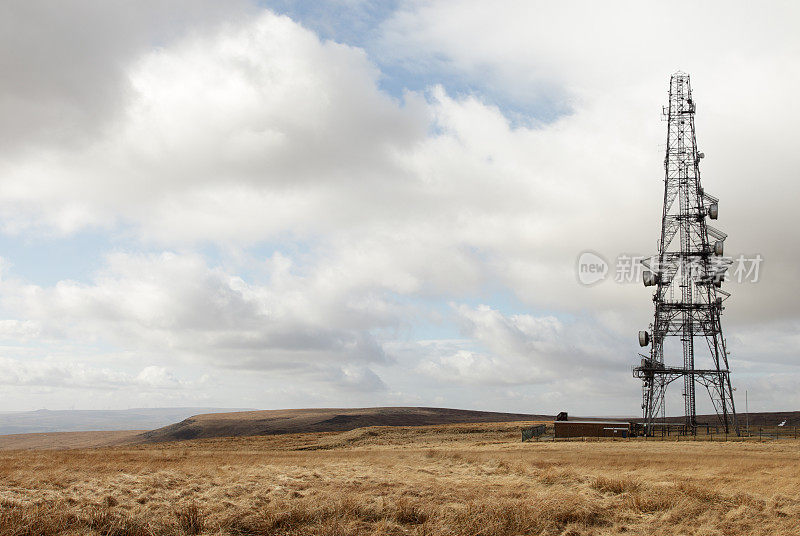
(353,203)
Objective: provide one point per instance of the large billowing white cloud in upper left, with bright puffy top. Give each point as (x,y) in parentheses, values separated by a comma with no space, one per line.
(216,141)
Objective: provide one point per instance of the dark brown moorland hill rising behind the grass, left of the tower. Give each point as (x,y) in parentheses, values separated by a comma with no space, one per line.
(289,421)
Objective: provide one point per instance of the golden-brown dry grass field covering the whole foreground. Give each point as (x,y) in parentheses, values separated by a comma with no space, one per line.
(474,479)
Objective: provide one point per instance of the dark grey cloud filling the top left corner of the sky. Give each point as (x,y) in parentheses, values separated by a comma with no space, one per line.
(64,64)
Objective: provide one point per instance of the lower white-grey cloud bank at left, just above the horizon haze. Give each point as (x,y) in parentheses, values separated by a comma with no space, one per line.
(175,305)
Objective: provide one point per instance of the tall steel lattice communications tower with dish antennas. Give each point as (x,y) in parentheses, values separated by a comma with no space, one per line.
(687,274)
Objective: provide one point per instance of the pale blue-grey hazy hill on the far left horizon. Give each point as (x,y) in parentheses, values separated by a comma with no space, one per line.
(47,421)
